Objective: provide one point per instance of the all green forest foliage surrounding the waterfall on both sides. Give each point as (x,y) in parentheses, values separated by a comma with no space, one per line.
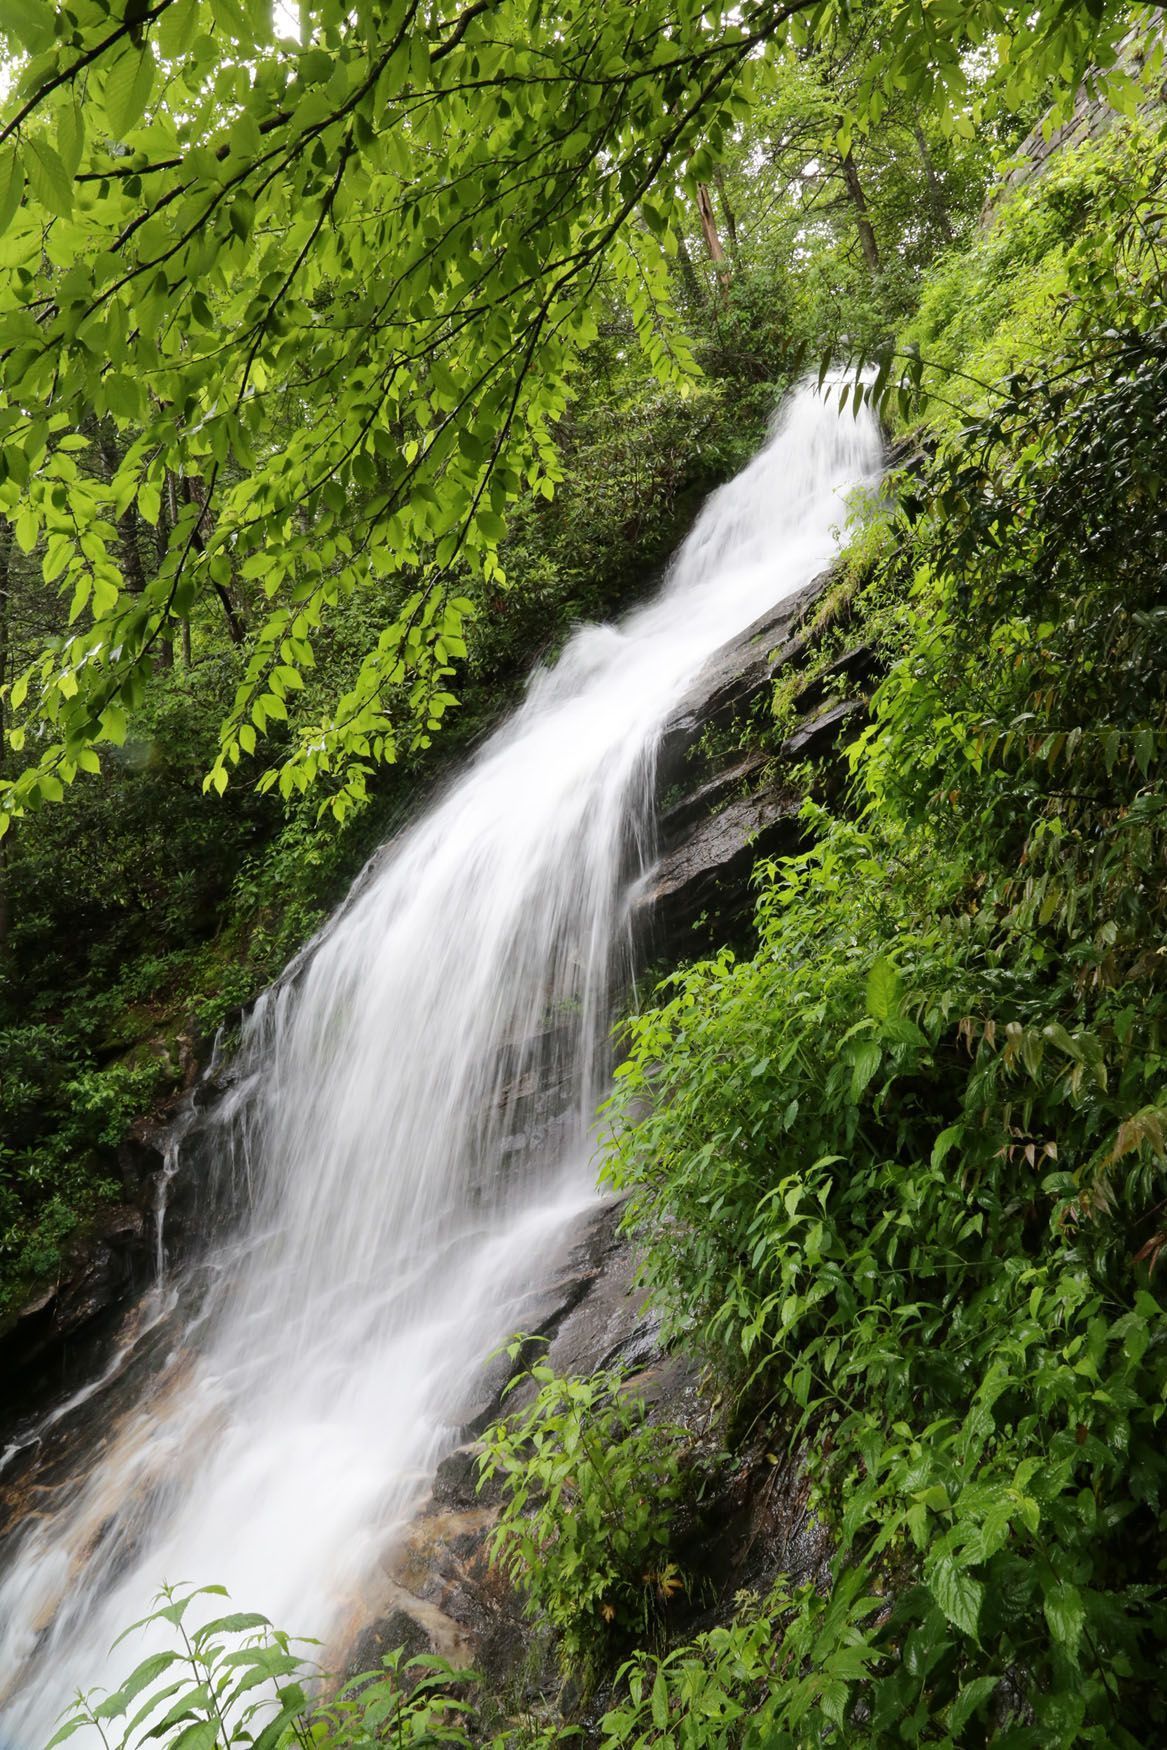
(898,1177)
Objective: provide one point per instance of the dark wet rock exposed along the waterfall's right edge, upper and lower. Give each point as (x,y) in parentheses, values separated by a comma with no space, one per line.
(755,1520)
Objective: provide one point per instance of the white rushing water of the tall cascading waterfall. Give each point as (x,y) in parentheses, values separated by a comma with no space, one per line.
(403,1187)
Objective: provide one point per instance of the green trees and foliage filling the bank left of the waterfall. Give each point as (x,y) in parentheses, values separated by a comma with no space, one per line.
(137,914)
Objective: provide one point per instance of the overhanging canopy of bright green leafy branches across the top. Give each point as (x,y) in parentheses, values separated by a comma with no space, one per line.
(339,277)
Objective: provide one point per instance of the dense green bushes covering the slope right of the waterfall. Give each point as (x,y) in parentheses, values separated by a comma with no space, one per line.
(904,1172)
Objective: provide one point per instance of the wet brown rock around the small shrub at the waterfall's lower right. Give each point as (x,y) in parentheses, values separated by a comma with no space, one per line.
(440,1592)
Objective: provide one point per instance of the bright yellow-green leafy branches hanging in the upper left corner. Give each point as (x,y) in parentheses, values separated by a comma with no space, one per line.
(386,232)
